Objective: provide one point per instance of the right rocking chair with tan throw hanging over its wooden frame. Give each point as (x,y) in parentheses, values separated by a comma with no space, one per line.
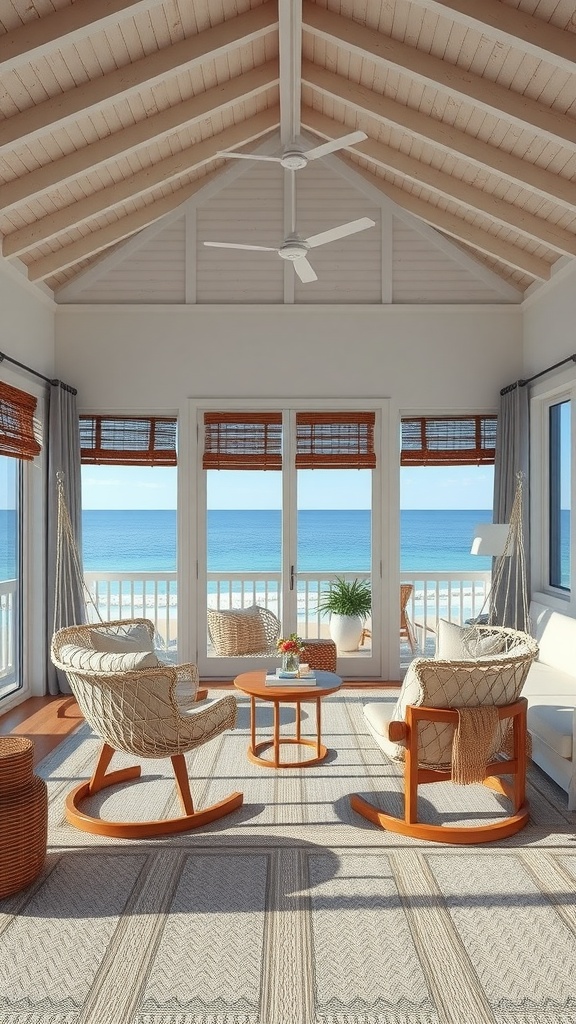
(452,723)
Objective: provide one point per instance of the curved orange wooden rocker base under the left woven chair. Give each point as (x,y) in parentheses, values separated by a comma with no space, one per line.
(143,830)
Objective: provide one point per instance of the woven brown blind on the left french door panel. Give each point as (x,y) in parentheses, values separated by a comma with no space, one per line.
(242,441)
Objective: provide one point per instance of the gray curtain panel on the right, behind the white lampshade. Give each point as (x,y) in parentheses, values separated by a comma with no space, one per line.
(512,586)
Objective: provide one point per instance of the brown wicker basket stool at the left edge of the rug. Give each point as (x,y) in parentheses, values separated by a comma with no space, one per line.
(24,816)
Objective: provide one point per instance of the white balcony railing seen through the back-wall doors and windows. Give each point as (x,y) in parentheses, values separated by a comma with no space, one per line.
(457,596)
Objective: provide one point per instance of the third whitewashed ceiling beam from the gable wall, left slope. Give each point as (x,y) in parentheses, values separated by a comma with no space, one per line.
(190,112)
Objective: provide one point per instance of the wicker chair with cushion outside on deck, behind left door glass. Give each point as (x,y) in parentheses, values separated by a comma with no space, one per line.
(241,632)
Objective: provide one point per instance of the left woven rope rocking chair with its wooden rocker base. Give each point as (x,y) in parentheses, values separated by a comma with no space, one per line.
(151,712)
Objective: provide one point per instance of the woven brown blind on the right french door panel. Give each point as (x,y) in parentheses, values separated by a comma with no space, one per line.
(336,441)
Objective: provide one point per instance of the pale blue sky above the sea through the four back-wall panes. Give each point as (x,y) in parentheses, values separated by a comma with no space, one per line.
(427,488)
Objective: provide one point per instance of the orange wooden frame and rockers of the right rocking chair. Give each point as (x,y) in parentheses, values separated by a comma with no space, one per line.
(415,776)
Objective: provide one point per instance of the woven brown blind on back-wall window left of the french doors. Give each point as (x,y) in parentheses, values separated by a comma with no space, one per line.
(129,441)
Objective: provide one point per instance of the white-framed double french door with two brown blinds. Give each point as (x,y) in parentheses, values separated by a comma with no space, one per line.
(290,500)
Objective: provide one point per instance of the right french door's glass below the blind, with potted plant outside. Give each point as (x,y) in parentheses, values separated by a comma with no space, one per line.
(335,541)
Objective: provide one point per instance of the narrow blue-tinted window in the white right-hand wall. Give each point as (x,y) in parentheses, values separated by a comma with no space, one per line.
(560,500)
